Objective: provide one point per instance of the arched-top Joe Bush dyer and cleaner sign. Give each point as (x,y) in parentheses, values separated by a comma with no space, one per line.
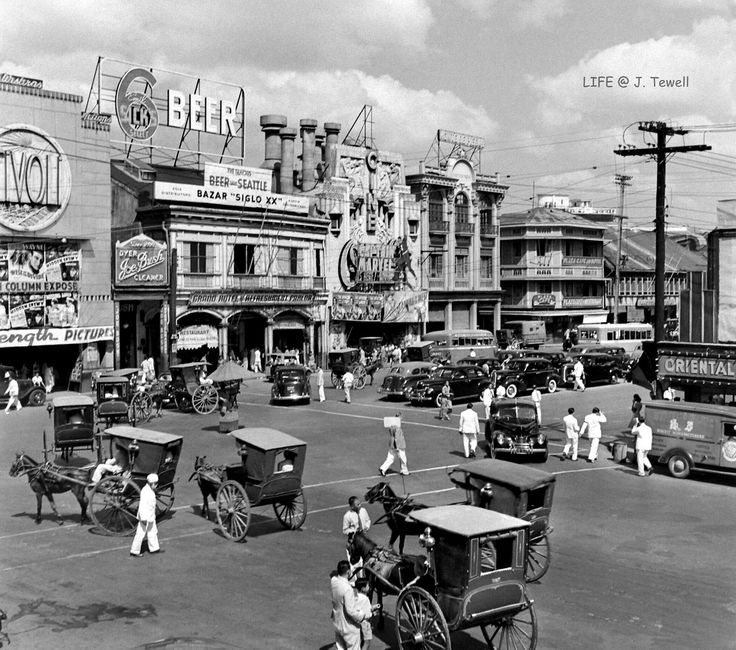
(141,262)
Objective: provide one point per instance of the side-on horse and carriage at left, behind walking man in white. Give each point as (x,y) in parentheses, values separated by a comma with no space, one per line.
(113,500)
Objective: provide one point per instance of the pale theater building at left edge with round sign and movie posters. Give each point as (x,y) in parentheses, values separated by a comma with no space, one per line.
(55,303)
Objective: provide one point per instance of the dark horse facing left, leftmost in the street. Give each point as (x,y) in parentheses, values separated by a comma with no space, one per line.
(47,479)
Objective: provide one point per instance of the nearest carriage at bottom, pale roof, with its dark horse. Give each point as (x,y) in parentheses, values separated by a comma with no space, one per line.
(473,577)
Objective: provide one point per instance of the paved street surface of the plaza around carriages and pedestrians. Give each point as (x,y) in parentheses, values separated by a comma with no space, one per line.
(636,563)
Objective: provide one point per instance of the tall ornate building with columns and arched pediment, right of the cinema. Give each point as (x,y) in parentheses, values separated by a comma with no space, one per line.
(459,243)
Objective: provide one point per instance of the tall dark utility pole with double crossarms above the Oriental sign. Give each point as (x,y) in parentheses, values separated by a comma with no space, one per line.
(660,151)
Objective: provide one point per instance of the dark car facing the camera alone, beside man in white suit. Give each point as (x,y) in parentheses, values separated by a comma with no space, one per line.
(513,430)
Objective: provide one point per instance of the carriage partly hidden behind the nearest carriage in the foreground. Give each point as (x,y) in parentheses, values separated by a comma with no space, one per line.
(515,490)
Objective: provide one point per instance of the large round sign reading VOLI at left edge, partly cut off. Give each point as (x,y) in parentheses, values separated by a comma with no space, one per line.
(35,179)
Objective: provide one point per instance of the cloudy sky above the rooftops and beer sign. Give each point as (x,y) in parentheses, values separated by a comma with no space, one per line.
(519,73)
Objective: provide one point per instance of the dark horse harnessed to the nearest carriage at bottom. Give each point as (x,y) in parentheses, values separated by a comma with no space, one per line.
(388,571)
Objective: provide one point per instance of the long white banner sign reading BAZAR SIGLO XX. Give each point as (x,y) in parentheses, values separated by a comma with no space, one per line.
(237,198)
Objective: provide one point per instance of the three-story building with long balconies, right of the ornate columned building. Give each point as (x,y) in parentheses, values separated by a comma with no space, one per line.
(552,268)
